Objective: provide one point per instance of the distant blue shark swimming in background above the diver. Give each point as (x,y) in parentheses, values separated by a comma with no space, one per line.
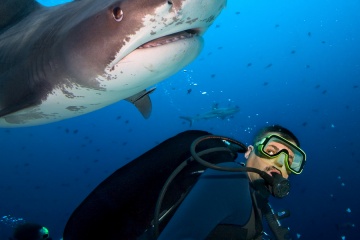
(216,112)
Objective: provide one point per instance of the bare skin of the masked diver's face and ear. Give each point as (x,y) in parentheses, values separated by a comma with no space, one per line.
(265,164)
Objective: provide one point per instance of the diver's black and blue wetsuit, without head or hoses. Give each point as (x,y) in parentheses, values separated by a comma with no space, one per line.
(220,204)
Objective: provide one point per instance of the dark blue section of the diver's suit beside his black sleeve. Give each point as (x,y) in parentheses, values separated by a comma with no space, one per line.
(221,205)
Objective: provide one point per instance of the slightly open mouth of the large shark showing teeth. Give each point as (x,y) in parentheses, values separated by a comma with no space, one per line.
(170,38)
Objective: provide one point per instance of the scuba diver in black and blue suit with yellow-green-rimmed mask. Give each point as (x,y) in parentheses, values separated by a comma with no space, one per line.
(192,186)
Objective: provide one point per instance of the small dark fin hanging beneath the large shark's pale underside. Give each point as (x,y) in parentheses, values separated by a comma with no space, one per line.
(142,102)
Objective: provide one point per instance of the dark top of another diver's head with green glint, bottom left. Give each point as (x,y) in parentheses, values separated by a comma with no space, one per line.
(30,231)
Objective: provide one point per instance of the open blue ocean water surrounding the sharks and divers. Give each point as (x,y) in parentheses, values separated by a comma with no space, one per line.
(294,63)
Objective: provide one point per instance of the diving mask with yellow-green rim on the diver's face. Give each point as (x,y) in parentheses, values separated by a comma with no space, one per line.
(274,146)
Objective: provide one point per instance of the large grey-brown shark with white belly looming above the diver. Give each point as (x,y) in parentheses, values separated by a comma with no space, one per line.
(67,60)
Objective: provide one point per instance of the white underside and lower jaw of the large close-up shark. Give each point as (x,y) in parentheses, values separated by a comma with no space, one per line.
(136,72)
